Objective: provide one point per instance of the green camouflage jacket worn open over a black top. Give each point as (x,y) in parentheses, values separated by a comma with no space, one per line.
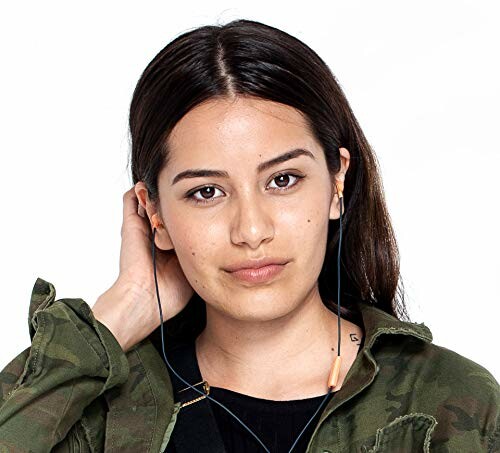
(75,390)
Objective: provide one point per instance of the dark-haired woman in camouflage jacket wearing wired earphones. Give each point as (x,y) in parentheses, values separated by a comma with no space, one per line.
(245,155)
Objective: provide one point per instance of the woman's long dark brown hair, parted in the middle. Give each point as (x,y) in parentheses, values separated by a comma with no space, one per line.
(249,58)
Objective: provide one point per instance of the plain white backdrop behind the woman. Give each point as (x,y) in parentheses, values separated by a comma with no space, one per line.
(422,78)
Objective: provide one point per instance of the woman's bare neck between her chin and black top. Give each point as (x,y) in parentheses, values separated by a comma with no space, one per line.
(285,358)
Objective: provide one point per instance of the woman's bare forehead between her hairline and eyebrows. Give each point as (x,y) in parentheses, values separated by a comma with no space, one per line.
(237,128)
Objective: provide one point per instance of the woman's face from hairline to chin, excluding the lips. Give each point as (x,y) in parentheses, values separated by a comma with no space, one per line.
(252,212)
